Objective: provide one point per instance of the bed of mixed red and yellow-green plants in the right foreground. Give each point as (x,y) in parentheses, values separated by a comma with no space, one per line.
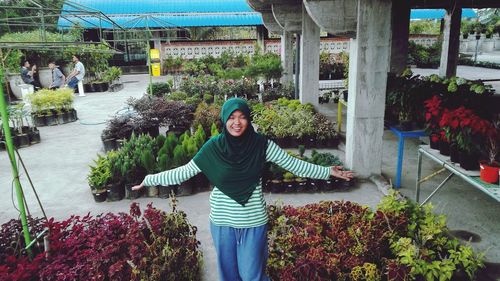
(345,241)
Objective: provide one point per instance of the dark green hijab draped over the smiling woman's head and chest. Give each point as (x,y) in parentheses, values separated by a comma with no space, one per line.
(234,164)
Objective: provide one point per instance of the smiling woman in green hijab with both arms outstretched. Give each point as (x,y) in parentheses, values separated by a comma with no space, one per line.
(233,162)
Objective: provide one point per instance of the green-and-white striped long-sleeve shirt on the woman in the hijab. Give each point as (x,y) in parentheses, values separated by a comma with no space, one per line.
(224,211)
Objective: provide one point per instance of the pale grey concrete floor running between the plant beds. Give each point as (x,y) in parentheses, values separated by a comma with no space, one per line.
(59,164)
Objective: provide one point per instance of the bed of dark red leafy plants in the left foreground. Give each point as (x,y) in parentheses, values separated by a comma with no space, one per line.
(106,247)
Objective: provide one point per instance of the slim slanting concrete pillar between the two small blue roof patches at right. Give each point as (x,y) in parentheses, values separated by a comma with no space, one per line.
(451,42)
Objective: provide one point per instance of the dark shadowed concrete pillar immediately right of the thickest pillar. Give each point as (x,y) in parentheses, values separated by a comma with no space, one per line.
(400,36)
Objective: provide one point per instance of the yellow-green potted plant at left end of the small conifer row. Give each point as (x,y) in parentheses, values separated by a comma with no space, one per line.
(99,178)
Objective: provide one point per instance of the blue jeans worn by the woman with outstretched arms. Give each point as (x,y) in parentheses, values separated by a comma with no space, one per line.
(241,252)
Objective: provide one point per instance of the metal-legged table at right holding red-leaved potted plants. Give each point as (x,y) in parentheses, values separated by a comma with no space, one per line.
(472,177)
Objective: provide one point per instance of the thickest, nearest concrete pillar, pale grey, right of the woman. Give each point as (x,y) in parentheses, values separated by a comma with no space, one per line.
(368,67)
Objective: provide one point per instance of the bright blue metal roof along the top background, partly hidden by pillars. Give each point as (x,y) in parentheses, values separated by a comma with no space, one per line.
(183,13)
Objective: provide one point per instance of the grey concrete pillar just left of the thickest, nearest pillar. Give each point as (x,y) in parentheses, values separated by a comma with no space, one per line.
(309,60)
